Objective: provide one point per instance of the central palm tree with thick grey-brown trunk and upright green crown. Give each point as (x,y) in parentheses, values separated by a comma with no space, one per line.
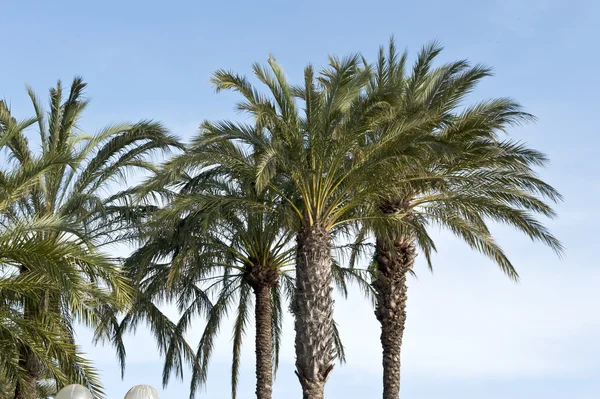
(310,160)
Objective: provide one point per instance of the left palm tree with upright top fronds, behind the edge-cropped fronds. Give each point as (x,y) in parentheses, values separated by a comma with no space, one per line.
(67,195)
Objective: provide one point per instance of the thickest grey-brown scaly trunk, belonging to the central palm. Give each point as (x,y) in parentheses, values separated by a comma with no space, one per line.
(313,311)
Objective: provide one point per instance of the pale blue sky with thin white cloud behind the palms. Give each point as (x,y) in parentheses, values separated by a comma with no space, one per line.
(471,333)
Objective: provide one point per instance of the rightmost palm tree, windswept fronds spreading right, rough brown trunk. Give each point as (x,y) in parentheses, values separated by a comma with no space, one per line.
(471,178)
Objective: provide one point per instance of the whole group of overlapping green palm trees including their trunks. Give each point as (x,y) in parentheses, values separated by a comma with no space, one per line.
(361,156)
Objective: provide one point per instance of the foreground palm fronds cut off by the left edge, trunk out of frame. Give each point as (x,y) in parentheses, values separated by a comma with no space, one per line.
(48,262)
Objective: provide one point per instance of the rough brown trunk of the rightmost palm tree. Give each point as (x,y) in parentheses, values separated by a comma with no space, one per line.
(390,288)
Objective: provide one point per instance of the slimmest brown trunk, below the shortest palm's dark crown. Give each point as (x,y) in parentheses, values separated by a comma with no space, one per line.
(264,347)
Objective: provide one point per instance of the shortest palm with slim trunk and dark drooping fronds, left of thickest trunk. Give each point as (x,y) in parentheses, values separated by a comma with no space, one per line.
(234,253)
